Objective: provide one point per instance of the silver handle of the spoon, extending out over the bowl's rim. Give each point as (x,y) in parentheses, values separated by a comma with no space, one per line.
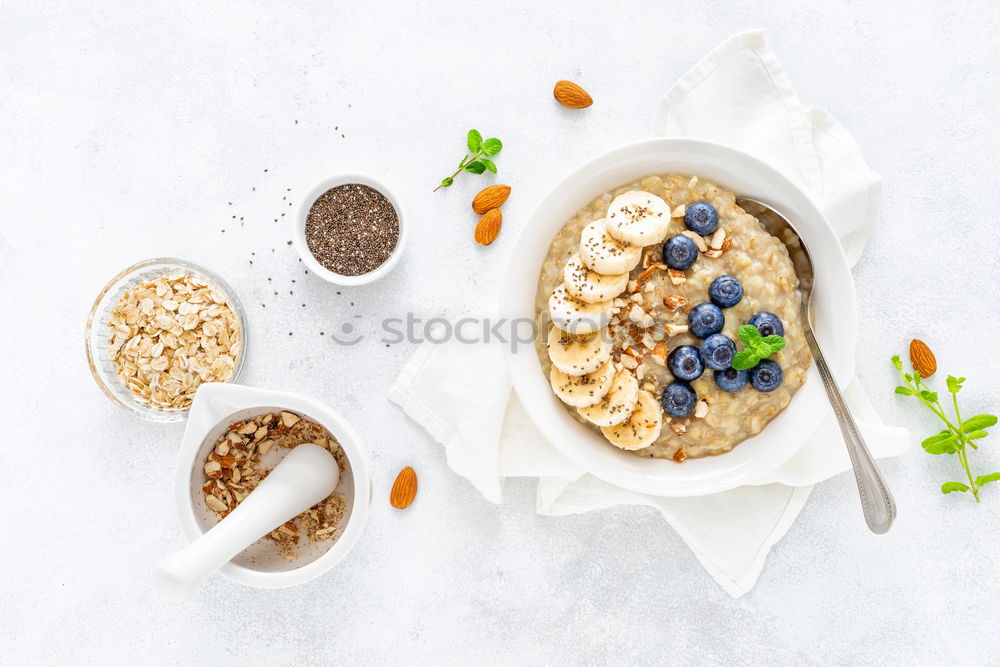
(876,501)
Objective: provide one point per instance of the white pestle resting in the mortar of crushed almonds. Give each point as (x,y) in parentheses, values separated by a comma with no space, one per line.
(306,475)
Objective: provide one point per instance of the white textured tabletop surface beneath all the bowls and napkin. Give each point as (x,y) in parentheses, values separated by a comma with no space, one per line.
(124,132)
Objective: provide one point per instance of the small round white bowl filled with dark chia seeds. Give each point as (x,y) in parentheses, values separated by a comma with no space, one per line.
(349,229)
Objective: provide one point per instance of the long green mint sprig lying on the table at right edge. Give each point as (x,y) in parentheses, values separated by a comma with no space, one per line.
(958,436)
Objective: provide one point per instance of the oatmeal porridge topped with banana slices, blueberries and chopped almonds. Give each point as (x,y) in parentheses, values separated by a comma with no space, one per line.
(648,297)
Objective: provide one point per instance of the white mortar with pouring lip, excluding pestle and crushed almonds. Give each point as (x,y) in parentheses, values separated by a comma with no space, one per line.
(262,565)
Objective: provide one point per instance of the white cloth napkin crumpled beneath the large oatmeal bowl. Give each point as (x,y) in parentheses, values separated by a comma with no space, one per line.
(738,95)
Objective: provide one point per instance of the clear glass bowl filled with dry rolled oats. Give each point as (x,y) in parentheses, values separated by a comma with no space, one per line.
(158,330)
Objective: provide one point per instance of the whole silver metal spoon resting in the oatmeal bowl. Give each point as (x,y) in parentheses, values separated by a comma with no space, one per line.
(876,501)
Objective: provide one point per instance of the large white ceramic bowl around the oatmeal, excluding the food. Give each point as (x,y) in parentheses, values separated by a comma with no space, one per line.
(833,299)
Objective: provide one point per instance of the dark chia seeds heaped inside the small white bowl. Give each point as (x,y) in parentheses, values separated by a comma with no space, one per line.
(352,229)
